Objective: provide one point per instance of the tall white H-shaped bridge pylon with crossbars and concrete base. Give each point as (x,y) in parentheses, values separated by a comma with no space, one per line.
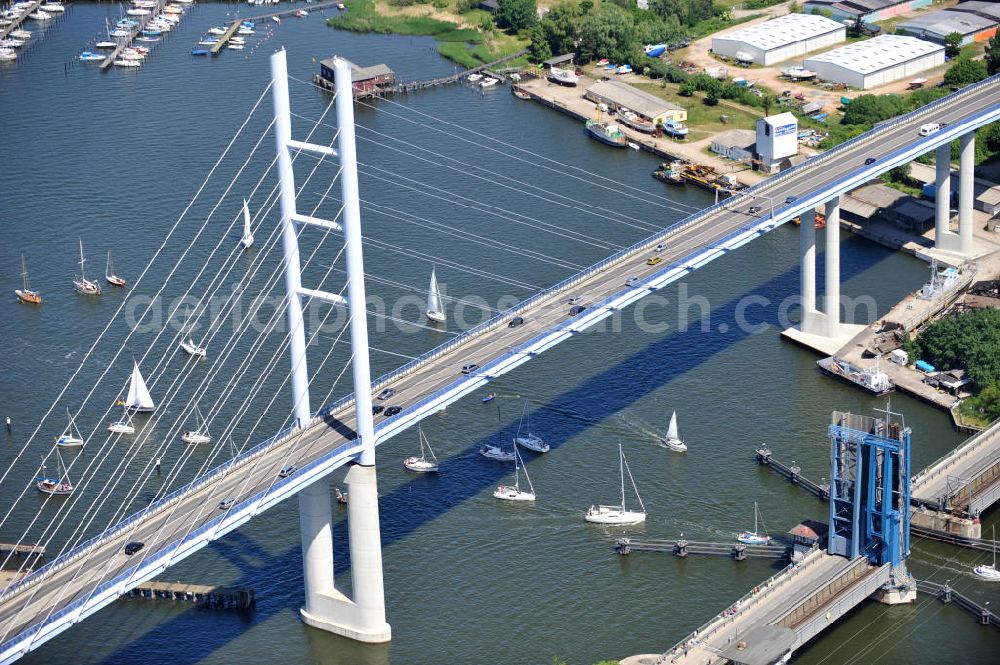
(362,617)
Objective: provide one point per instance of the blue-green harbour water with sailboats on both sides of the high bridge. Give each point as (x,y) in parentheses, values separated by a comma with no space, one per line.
(114,158)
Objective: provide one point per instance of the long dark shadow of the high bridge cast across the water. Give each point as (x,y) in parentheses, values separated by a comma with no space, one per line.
(405,509)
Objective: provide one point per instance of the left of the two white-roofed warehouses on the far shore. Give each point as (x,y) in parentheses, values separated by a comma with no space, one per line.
(780,39)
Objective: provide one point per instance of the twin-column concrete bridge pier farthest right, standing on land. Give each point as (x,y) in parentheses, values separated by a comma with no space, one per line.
(944,238)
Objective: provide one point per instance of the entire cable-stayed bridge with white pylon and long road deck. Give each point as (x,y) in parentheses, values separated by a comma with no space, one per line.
(93,573)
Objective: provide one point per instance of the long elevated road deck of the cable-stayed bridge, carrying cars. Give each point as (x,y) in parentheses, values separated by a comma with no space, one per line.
(94,574)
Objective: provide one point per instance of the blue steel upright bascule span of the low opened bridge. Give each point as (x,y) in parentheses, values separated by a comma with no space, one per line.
(870,488)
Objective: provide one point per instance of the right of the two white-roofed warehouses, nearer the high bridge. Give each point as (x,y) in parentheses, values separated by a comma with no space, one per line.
(877,61)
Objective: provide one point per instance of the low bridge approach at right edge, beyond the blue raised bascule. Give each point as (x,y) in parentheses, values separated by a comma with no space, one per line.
(965,479)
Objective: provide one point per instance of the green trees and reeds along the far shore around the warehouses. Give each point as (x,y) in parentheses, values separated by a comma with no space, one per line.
(618,30)
